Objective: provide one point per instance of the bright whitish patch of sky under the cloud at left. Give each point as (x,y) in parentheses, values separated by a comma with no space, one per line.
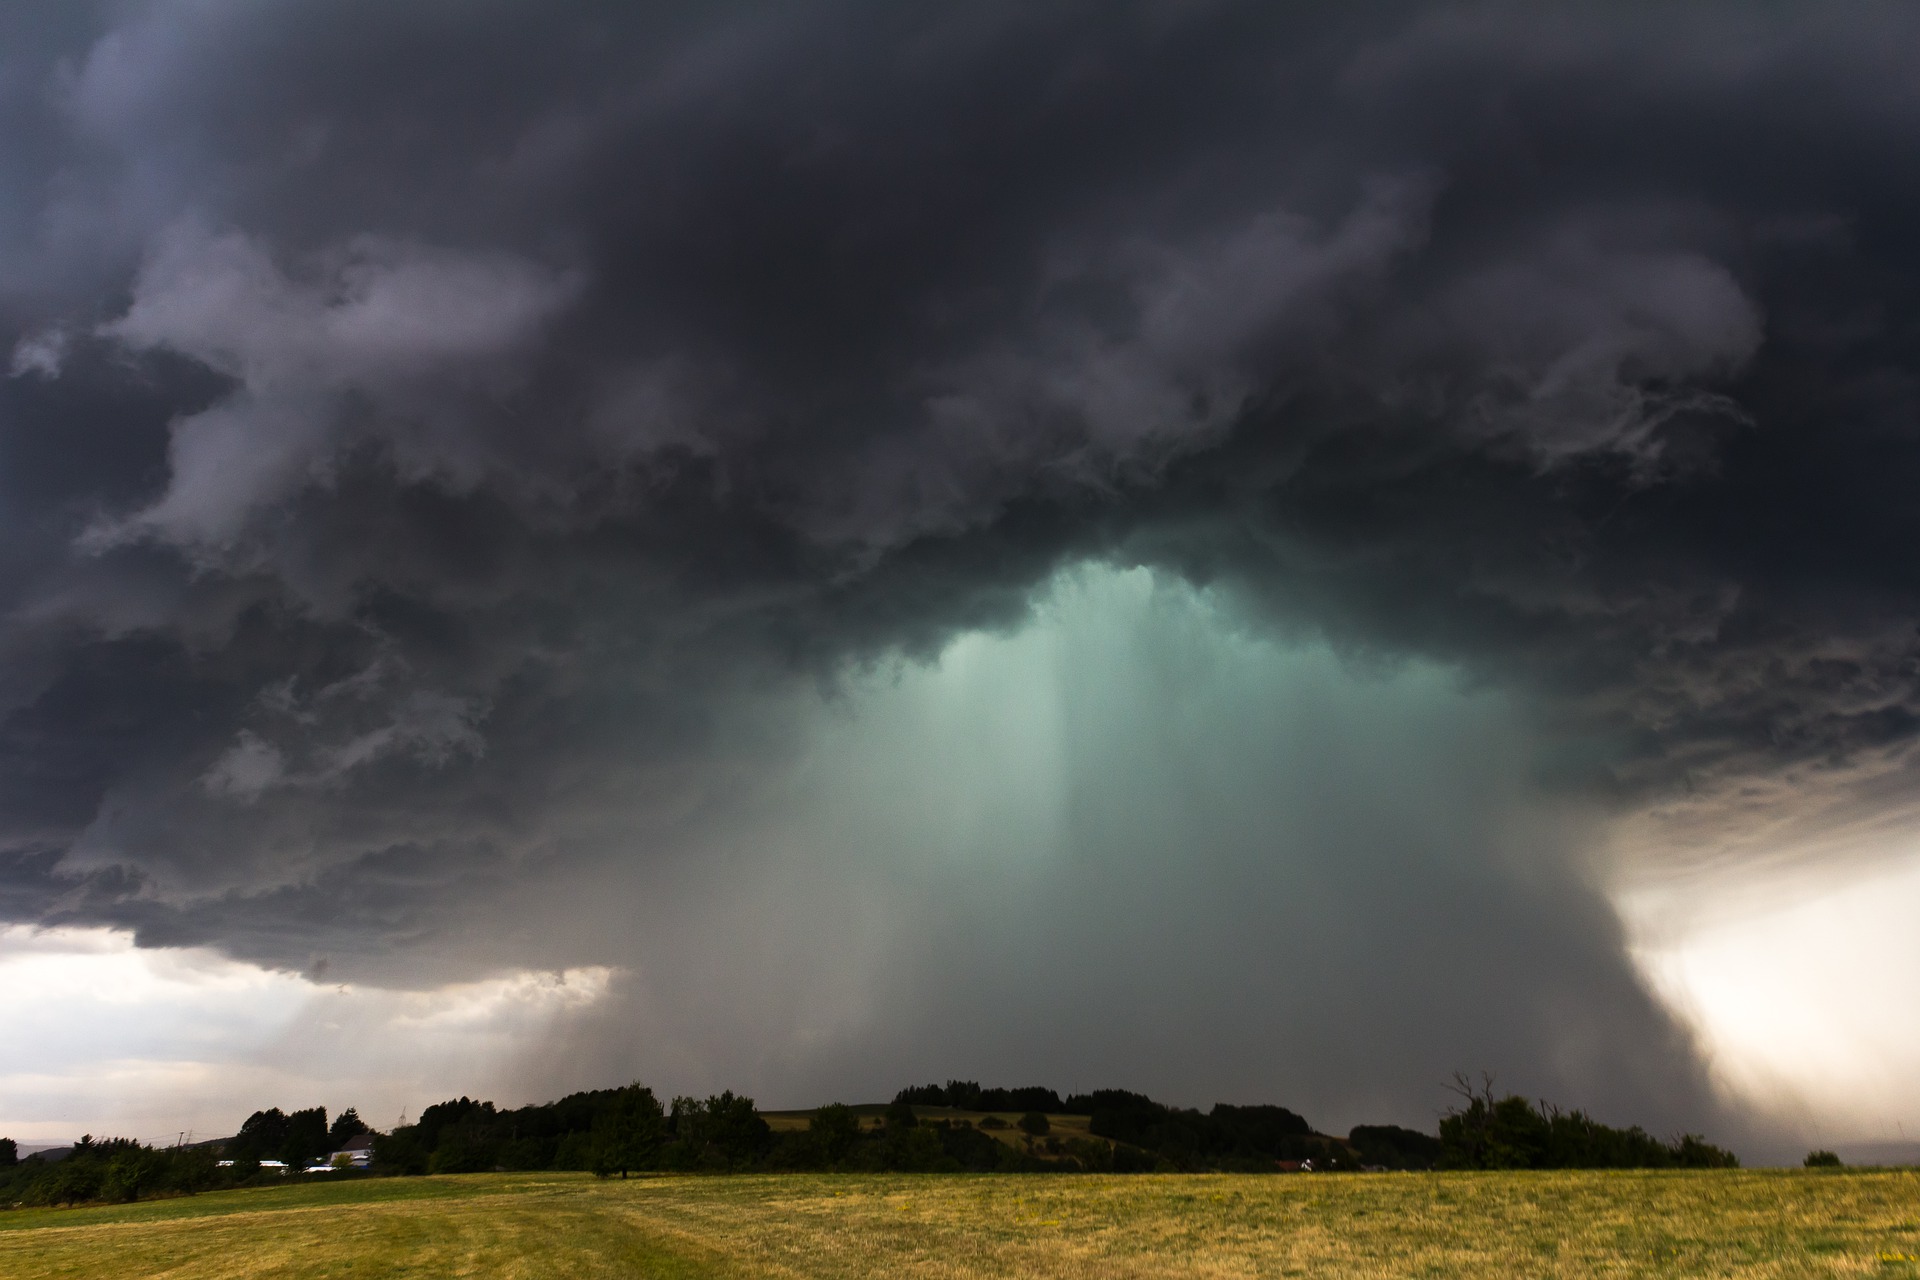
(118,1041)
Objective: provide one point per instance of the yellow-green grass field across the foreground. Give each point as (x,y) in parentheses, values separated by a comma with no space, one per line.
(1762,1223)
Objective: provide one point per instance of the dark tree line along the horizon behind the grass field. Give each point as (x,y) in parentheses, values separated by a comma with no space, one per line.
(928,1129)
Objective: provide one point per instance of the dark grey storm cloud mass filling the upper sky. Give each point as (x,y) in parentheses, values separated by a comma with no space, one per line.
(441,439)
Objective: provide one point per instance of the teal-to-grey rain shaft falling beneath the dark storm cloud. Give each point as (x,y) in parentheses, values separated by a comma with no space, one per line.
(1138,841)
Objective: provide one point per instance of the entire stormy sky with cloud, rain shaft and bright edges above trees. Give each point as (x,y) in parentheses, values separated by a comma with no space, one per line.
(1253,554)
